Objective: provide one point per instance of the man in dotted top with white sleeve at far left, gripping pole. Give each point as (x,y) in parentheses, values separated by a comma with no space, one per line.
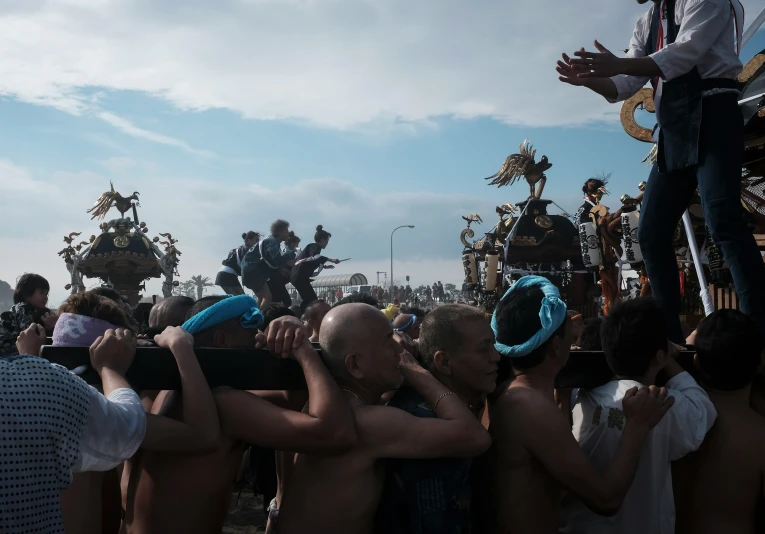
(53,424)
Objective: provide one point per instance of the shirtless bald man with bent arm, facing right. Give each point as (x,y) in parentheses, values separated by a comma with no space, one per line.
(333,494)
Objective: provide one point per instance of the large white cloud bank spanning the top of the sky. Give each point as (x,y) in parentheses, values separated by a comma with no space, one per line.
(333,63)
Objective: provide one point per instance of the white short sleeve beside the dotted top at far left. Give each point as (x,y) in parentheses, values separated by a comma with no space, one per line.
(115,430)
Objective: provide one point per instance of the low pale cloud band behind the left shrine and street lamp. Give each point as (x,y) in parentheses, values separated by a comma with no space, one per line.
(209,219)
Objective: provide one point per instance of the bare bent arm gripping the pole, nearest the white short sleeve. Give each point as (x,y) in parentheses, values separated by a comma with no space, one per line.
(200,429)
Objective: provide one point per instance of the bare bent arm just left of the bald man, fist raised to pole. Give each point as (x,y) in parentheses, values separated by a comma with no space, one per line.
(328,426)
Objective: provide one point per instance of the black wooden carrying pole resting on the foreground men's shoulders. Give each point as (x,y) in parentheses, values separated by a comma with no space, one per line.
(155,368)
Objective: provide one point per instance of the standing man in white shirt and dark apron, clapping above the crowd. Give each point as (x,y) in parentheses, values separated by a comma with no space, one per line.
(686,49)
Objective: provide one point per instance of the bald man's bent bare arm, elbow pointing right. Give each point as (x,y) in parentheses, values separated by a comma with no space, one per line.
(394,433)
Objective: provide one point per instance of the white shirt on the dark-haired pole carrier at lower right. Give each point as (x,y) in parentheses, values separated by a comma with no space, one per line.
(649,506)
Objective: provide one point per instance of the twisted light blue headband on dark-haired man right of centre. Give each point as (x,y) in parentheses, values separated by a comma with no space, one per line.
(551,314)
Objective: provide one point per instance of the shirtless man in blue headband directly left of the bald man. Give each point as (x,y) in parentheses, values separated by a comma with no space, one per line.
(191,494)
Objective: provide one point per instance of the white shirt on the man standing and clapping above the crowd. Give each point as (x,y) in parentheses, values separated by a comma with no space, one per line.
(705,40)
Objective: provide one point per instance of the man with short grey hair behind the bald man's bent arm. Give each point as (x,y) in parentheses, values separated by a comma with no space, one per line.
(433,496)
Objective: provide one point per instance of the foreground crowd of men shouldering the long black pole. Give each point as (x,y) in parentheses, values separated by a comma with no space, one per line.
(431,422)
